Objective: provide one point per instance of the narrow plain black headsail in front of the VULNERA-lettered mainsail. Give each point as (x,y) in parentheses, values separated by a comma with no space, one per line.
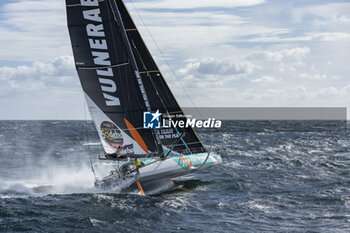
(159,94)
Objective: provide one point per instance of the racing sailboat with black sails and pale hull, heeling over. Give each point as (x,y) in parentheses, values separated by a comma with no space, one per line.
(123,86)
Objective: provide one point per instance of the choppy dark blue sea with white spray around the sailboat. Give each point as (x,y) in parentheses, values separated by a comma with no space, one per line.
(275,177)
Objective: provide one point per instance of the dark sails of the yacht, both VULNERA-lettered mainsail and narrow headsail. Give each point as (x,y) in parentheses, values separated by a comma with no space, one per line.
(120,79)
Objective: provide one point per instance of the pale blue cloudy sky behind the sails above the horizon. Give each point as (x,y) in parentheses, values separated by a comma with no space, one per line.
(239,53)
